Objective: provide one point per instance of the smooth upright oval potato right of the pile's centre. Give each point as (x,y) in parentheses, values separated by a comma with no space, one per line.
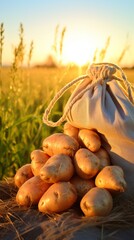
(86,163)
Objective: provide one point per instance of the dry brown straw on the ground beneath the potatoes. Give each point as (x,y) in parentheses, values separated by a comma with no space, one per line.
(23,223)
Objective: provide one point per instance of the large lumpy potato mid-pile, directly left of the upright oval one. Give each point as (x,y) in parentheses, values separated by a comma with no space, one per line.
(58,168)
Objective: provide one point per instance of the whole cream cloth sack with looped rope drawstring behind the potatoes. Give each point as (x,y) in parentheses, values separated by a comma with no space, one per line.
(104,101)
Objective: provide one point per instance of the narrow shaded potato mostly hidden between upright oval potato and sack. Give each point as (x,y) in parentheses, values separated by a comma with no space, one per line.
(104,157)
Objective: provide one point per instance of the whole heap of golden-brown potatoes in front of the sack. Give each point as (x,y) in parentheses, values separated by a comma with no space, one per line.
(72,166)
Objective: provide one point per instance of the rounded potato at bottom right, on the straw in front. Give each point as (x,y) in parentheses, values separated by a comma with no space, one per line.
(96,202)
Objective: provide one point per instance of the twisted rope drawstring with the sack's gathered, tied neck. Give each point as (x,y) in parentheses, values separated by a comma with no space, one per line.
(97,73)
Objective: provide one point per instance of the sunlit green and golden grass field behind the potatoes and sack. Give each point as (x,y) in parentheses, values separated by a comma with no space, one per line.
(22,104)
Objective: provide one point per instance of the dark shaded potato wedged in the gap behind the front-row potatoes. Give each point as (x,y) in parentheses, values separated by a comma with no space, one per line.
(82,185)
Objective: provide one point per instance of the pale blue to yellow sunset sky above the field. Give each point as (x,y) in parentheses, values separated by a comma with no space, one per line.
(88,24)
